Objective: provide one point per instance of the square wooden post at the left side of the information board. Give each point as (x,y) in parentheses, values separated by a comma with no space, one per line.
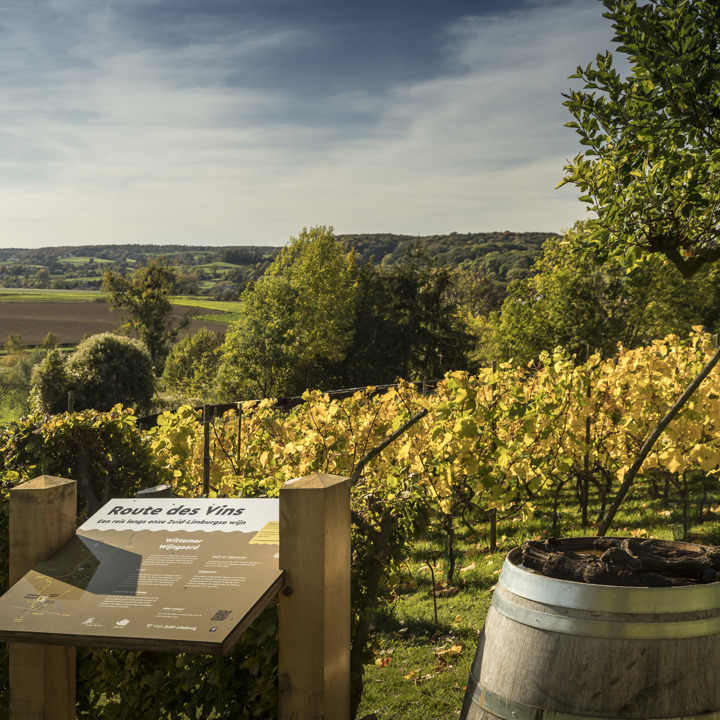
(42,519)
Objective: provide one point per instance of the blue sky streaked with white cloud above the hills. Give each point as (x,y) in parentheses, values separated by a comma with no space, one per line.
(240,122)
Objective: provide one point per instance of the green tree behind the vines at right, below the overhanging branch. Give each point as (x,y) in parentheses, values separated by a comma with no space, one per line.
(580,303)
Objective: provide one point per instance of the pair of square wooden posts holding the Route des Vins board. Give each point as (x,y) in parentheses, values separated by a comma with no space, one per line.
(314,631)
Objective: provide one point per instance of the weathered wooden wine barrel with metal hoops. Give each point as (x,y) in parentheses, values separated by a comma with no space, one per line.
(558,650)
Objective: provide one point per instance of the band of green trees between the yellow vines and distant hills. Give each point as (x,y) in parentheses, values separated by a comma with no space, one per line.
(317,317)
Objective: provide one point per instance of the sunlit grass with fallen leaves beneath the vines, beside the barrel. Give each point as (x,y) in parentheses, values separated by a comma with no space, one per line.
(421,667)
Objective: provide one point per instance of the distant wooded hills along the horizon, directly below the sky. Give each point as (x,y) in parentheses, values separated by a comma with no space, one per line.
(223,272)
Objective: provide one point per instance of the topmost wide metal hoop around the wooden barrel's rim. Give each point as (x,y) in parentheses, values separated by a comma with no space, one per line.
(606,598)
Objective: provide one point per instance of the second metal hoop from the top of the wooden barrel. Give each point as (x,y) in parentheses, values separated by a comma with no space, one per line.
(604,628)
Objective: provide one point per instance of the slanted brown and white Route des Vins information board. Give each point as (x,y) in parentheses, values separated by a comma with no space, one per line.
(175,574)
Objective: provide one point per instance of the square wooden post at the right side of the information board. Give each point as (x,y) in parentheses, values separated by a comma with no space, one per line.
(314,665)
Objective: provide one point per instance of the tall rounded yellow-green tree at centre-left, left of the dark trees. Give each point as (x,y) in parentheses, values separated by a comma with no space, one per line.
(298,318)
